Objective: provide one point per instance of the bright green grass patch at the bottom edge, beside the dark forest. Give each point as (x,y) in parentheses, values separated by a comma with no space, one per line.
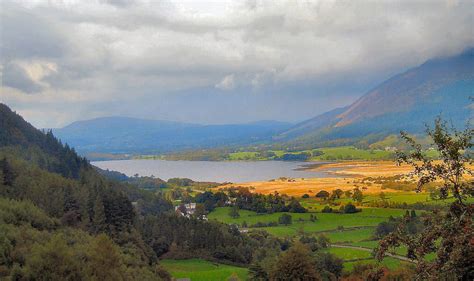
(202,270)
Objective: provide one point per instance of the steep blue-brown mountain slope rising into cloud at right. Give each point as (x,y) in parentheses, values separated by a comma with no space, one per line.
(406,102)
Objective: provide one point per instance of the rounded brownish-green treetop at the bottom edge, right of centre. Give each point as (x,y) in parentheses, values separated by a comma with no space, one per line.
(295,264)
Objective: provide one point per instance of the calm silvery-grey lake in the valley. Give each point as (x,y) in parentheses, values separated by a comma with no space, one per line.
(236,172)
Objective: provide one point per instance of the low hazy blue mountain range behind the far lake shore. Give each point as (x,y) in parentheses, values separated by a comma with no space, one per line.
(131,135)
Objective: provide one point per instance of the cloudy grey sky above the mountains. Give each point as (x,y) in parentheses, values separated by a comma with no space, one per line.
(213,62)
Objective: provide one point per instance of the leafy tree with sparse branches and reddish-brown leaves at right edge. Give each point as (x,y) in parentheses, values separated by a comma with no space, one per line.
(448,233)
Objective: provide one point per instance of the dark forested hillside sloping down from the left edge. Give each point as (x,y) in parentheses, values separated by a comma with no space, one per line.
(61,220)
